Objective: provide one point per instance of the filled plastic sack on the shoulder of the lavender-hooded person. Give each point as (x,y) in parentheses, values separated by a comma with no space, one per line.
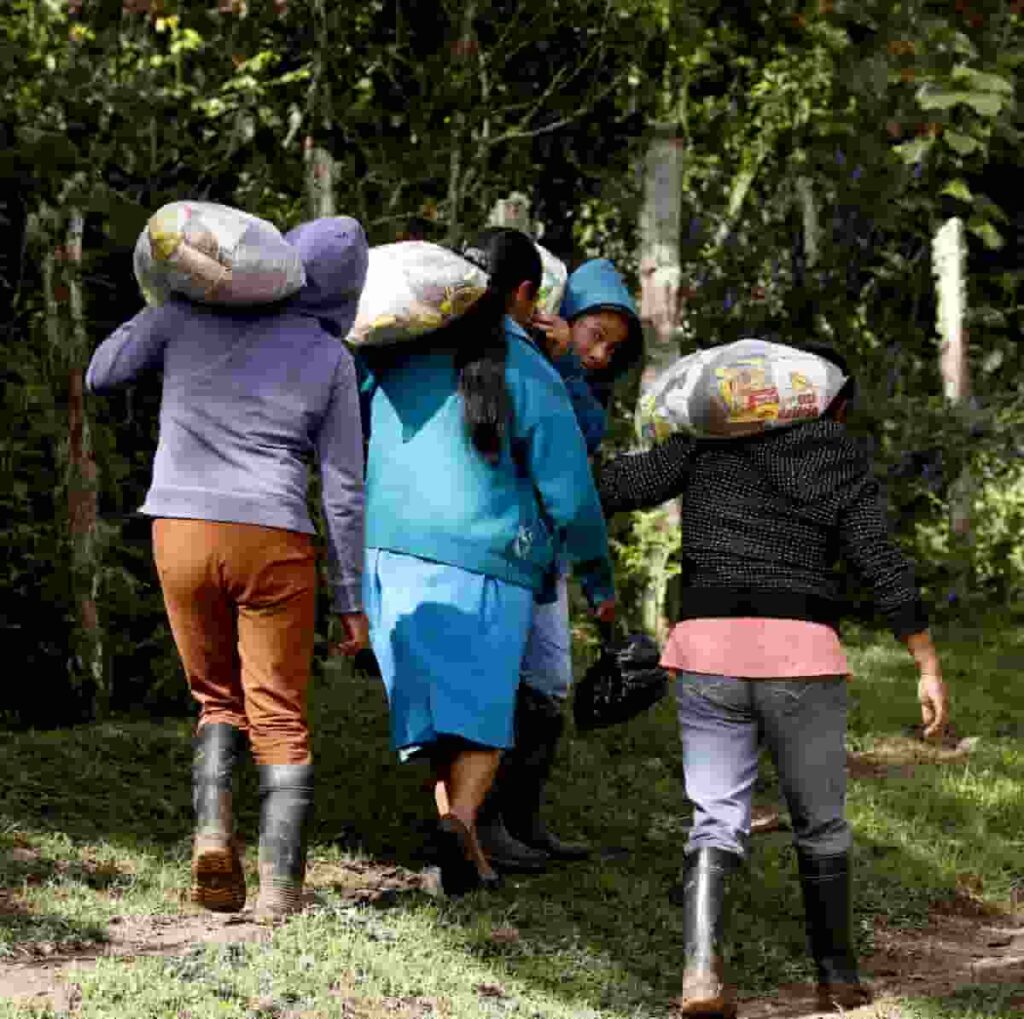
(217,256)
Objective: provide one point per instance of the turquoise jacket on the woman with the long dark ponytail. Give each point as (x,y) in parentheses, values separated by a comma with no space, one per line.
(432,495)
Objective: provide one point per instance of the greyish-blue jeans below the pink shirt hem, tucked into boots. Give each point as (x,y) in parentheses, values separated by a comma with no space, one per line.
(803,724)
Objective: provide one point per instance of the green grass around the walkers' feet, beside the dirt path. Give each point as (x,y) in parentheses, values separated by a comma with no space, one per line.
(95,824)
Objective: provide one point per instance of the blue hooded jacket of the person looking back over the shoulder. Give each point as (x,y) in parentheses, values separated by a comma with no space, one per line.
(593,286)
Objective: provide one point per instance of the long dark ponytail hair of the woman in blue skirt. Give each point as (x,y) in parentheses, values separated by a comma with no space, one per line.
(510,260)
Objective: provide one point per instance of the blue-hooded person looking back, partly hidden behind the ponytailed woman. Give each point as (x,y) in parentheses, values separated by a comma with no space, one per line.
(595,341)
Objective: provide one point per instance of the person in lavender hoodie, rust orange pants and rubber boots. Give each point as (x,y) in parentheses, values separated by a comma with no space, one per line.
(248,396)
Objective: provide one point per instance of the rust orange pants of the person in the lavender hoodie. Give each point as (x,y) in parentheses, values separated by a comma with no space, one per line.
(241,601)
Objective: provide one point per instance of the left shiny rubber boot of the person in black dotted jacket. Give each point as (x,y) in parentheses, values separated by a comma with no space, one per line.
(706,876)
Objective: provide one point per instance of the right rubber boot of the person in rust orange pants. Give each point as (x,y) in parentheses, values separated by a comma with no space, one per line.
(286,811)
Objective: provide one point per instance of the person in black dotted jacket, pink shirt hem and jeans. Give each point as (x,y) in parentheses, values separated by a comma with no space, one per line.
(758,651)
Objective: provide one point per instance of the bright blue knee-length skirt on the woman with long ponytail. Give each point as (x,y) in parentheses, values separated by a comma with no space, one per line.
(450,645)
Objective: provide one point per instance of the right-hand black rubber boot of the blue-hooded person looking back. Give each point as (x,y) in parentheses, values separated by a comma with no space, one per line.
(539,726)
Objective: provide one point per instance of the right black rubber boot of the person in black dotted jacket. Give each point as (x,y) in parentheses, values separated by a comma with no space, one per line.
(828,906)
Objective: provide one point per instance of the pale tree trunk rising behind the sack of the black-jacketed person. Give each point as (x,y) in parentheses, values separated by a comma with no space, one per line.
(661,279)
